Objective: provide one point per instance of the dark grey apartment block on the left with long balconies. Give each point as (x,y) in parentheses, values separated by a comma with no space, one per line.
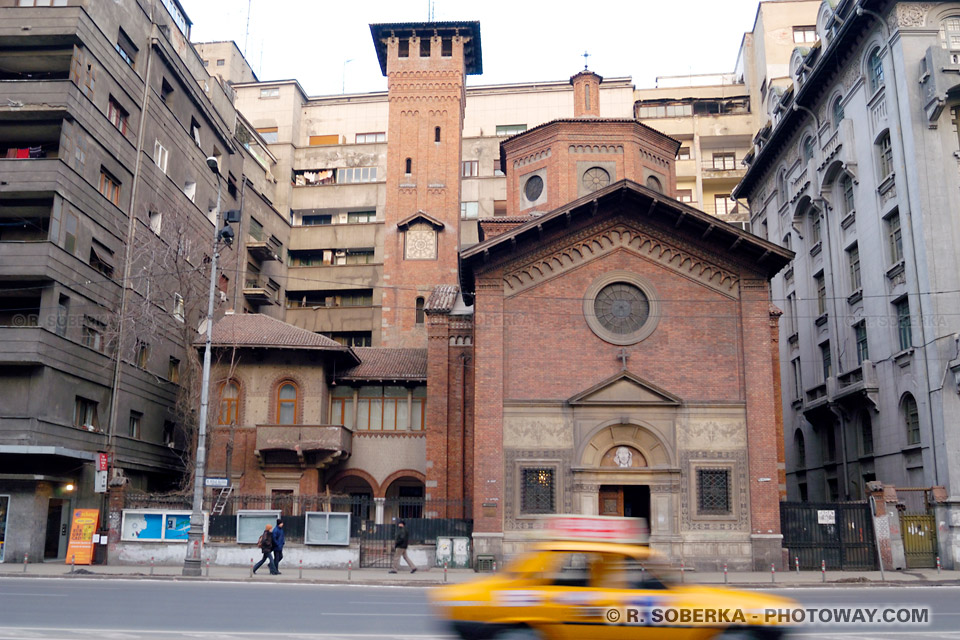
(107,216)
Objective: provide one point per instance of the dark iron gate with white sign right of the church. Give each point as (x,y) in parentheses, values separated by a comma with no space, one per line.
(838,533)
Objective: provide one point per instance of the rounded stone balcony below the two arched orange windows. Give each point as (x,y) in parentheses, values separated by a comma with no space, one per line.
(316,446)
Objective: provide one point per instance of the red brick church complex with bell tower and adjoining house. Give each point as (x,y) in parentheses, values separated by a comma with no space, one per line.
(604,348)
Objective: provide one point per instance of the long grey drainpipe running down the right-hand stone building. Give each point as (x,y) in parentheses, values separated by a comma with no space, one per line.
(906,209)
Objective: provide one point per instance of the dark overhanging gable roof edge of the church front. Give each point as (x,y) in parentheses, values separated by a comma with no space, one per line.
(766,257)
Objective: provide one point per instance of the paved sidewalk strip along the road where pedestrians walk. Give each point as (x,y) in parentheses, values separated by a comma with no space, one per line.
(292,574)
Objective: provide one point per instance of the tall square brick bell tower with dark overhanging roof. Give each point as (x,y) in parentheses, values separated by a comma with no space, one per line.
(425,64)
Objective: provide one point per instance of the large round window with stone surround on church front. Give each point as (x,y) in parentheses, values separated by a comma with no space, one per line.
(621,308)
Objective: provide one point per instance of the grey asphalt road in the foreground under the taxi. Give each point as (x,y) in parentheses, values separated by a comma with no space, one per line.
(83,609)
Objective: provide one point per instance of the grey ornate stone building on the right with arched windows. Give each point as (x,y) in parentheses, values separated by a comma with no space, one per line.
(857,173)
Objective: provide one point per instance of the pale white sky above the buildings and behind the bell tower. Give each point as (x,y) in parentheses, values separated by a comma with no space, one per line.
(522,40)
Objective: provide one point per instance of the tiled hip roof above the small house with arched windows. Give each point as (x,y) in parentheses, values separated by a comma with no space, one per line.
(258,330)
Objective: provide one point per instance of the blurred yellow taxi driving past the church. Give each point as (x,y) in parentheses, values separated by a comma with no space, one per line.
(593,589)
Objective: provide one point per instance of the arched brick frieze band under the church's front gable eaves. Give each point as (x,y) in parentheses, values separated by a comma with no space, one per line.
(595,242)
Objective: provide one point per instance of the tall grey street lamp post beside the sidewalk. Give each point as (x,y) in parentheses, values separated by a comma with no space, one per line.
(192,561)
